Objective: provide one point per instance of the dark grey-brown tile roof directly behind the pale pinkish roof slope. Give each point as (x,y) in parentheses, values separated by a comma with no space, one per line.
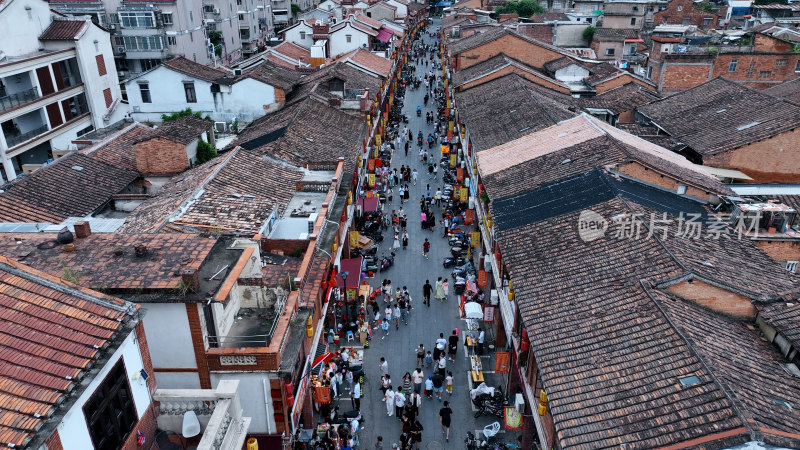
(507,108)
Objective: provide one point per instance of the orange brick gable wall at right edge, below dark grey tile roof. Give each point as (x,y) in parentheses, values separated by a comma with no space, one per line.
(773,160)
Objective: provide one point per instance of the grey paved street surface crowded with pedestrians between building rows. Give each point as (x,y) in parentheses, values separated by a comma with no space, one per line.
(425,323)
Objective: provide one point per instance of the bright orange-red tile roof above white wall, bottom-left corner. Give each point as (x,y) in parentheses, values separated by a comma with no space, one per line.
(54,336)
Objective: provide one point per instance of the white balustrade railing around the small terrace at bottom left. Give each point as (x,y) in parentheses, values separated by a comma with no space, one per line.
(219,412)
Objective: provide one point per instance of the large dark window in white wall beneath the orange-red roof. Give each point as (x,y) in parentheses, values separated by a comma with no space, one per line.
(110,412)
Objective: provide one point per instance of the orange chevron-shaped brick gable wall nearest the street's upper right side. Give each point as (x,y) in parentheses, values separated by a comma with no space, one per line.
(512,46)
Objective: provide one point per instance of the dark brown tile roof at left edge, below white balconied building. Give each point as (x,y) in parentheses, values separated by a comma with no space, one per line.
(74,185)
